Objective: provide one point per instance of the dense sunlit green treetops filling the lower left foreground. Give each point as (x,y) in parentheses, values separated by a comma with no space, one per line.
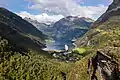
(32,66)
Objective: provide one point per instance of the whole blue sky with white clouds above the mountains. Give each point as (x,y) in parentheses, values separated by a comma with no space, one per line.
(54,10)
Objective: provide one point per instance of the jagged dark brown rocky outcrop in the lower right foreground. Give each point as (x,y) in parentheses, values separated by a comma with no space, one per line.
(103,67)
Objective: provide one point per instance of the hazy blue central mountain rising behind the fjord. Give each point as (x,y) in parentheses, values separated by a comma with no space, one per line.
(71,27)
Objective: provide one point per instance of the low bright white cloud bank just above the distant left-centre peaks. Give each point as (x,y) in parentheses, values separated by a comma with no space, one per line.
(42,18)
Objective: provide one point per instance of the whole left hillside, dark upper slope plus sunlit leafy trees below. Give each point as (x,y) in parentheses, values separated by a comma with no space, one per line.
(17,37)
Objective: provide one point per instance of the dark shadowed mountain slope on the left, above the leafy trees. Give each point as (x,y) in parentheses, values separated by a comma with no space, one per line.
(19,32)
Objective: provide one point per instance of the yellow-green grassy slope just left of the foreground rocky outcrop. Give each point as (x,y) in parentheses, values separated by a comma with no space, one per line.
(79,71)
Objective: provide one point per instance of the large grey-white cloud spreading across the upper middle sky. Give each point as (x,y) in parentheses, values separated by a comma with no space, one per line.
(66,8)
